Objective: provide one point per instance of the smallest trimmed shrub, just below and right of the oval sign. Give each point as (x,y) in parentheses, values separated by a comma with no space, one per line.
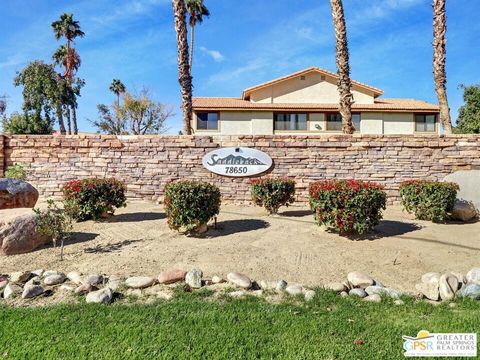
(271,193)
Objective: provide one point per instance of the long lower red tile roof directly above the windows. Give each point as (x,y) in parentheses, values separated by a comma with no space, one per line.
(237,104)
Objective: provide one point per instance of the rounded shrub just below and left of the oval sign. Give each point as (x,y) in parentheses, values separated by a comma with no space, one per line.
(190,205)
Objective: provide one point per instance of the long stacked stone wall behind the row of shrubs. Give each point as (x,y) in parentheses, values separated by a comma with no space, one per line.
(147,163)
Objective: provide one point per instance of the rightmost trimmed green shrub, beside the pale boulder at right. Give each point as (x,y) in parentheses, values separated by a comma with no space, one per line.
(429,200)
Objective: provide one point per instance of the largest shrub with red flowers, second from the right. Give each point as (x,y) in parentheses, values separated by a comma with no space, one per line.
(347,206)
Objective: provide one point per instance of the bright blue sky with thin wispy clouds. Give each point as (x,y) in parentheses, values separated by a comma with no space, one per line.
(240,45)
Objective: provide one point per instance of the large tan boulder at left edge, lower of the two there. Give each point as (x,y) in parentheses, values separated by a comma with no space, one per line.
(18,232)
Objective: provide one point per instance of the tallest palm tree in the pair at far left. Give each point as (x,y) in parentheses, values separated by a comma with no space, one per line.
(70,29)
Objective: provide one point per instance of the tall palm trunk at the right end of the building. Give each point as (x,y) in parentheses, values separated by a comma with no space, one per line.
(439,74)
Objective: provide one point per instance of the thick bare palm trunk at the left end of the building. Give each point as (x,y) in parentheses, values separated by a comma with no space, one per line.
(184,76)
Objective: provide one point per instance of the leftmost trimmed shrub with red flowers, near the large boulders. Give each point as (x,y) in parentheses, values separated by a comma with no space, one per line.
(93,198)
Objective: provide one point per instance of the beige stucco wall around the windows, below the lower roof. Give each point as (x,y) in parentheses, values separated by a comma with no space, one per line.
(261,123)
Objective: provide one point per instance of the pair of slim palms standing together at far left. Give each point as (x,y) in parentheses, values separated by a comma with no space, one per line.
(67,57)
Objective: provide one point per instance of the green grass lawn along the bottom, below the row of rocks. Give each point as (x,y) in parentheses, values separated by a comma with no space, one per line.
(192,327)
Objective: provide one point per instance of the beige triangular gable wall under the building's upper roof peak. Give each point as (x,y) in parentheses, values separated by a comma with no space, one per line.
(311,90)
